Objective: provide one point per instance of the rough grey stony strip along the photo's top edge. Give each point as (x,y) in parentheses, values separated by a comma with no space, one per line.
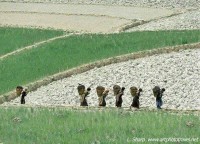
(171,4)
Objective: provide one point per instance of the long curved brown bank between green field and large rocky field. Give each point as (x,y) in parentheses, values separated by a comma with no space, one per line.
(83,68)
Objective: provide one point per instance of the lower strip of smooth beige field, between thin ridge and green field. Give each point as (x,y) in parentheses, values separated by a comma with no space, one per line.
(80,23)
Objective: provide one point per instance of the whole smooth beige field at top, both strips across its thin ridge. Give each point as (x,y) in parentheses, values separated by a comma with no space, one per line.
(81,18)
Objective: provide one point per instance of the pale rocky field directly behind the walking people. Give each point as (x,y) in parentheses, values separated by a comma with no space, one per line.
(177,72)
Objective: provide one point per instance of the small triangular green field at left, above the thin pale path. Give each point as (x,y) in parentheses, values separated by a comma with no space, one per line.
(15,38)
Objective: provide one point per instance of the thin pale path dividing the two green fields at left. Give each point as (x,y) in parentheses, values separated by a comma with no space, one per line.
(33,46)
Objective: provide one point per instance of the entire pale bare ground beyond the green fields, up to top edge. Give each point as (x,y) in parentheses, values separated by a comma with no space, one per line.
(103,16)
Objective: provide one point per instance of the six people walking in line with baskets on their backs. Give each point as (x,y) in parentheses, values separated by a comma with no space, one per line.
(102,93)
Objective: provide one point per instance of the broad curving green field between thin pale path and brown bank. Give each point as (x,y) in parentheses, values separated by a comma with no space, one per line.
(73,51)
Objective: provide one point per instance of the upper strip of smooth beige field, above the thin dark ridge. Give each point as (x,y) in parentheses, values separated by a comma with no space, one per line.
(126,12)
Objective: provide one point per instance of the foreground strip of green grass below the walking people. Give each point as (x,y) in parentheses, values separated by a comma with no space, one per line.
(56,125)
